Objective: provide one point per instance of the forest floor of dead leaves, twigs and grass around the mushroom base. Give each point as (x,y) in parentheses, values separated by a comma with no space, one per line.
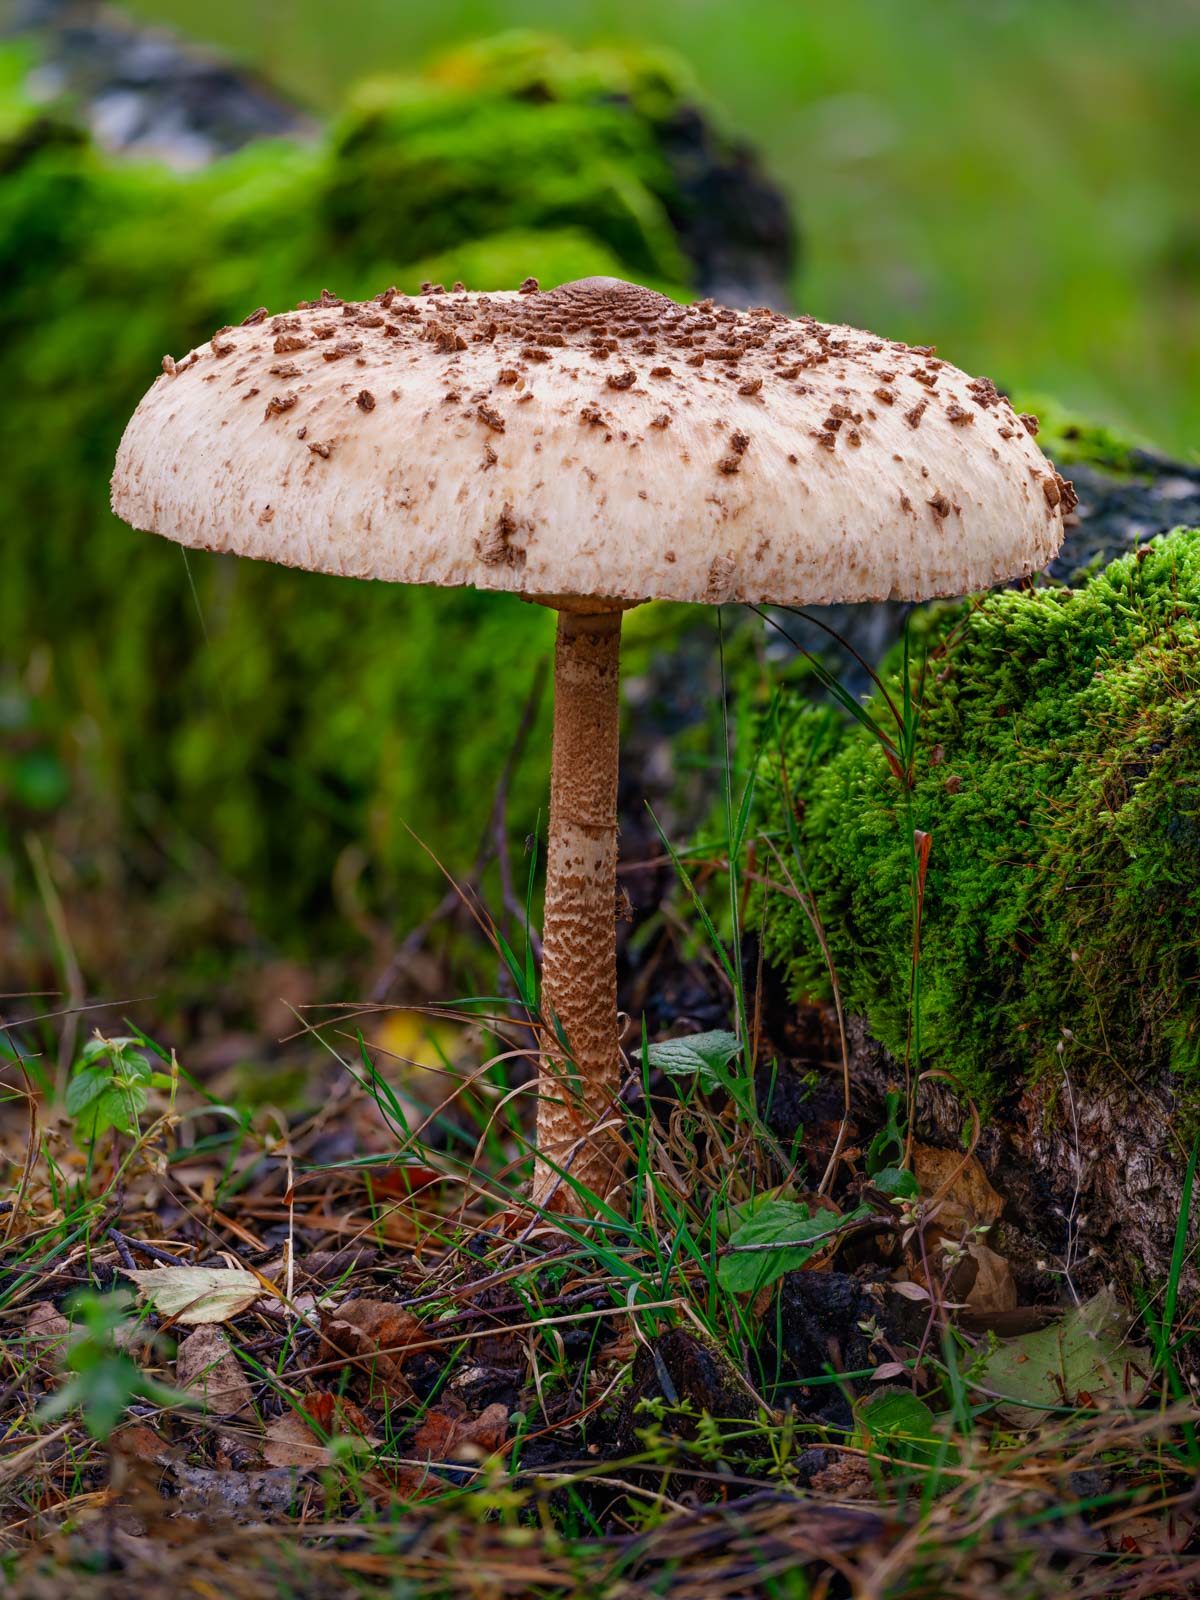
(334,1351)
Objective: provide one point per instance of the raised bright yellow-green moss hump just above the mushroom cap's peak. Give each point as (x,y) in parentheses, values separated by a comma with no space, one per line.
(521,134)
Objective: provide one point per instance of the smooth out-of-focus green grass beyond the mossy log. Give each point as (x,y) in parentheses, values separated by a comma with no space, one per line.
(1014,180)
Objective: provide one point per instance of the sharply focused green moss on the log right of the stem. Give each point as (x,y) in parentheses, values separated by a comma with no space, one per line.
(1058,778)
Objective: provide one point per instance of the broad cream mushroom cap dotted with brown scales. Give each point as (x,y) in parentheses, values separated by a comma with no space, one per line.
(596,441)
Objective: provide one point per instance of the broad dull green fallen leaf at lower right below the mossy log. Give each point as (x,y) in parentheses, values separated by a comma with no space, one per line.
(1087,1351)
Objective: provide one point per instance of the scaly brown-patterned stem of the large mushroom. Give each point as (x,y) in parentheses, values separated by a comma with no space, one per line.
(578,1087)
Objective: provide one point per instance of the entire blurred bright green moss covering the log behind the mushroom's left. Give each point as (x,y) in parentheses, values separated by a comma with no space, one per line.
(265,730)
